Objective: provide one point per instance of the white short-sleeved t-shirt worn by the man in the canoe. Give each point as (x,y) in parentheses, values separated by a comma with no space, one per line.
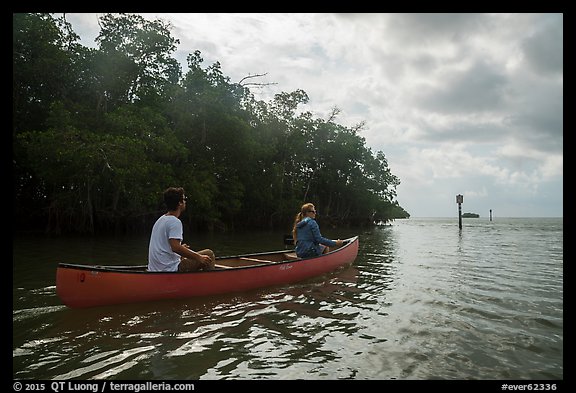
(161,258)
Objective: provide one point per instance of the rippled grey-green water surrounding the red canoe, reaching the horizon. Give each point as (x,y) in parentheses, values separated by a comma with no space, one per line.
(423,300)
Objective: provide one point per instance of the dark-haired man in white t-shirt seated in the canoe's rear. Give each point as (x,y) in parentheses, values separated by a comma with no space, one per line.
(166,253)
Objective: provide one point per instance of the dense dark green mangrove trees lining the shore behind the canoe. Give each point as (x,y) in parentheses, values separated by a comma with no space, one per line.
(99,133)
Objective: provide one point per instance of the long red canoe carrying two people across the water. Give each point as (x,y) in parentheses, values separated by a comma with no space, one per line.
(89,286)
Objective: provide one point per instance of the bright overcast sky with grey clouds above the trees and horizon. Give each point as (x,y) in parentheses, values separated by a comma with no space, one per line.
(467,104)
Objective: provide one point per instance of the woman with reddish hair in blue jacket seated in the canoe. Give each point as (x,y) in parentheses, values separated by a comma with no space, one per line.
(306,234)
